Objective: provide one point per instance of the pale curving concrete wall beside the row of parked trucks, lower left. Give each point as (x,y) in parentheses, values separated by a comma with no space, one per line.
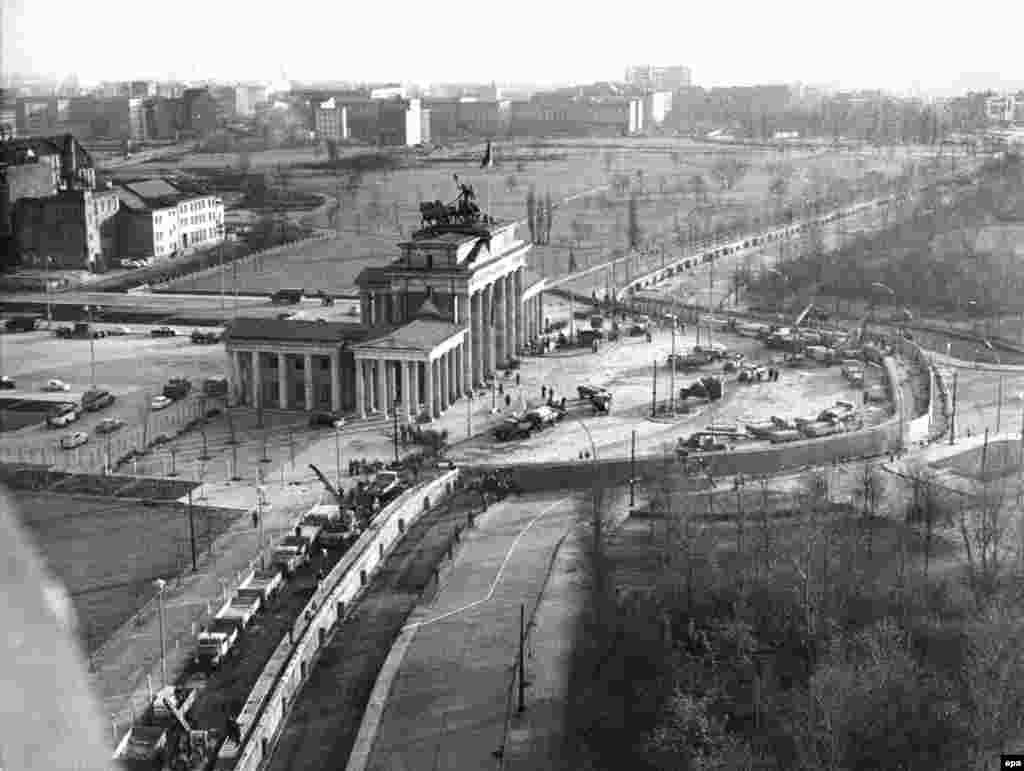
(291,664)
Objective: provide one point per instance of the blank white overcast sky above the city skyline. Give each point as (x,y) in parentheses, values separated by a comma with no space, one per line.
(891,45)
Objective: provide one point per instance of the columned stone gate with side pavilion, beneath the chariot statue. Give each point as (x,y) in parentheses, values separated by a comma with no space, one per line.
(450,313)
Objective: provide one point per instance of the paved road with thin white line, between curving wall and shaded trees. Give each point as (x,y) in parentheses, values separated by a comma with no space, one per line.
(449,701)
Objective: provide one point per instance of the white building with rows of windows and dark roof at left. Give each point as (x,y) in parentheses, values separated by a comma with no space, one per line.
(158,220)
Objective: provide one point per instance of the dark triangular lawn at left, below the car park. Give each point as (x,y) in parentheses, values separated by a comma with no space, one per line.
(108,551)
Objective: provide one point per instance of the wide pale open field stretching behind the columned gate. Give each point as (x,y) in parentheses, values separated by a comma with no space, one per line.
(383,208)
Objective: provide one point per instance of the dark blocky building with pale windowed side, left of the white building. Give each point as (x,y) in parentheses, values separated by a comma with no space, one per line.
(73,230)
